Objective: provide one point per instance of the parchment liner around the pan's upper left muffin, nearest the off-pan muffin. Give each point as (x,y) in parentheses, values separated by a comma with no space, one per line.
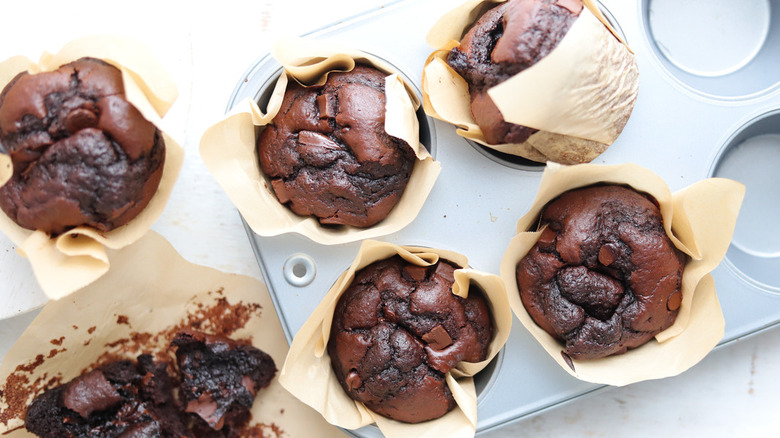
(229,147)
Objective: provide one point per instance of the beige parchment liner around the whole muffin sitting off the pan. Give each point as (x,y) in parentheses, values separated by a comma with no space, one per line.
(78,257)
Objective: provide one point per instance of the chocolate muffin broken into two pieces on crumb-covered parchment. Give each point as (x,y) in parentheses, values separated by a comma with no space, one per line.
(217,382)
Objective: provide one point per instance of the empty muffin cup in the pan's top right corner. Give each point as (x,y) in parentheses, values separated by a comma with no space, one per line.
(719,49)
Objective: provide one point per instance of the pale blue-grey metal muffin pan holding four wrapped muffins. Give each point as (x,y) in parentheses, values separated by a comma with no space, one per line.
(689,123)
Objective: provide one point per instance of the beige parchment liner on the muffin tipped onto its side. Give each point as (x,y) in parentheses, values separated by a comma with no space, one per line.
(579,96)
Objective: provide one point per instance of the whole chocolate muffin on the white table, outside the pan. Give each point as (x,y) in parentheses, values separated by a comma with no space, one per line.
(81,153)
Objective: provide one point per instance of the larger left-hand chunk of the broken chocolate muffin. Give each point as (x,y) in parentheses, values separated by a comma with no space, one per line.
(120,399)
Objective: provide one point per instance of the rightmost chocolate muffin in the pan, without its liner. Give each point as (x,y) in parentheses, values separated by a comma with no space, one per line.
(603,277)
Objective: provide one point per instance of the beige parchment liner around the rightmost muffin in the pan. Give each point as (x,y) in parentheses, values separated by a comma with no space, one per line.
(699,220)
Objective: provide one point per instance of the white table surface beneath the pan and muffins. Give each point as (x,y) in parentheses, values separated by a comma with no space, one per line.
(206,46)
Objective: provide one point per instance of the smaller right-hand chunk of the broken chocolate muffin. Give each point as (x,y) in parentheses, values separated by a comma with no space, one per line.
(219,381)
